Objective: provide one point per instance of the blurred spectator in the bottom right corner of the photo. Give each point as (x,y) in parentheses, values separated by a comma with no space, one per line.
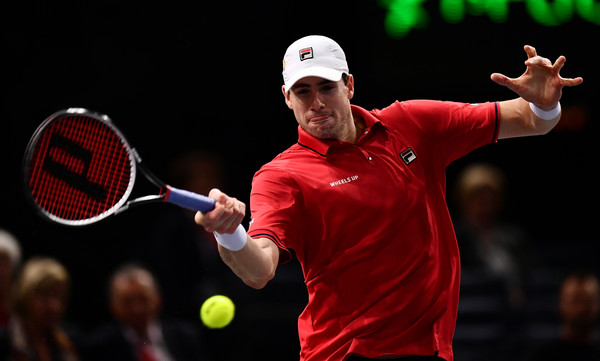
(579,307)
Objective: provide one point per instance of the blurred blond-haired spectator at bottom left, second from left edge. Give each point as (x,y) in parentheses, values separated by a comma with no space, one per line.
(39,301)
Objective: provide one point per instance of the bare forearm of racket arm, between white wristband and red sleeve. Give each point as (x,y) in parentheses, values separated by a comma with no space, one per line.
(255,263)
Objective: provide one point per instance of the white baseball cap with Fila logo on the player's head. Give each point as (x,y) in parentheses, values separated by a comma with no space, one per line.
(313,55)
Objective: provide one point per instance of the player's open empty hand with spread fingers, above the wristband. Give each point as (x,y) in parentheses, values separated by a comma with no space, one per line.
(541,84)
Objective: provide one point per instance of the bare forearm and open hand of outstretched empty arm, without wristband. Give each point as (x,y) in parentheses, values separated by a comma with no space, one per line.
(541,84)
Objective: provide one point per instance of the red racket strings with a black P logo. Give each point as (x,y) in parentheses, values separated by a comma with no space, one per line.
(80,169)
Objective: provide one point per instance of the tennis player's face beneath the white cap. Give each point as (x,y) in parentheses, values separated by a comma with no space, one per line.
(322,107)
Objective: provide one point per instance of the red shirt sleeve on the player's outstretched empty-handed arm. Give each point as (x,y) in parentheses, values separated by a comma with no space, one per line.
(449,129)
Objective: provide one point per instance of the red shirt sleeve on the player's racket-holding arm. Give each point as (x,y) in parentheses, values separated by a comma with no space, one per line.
(274,204)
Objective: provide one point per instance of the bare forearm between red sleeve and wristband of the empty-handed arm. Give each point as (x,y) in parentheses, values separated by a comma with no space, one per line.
(518,120)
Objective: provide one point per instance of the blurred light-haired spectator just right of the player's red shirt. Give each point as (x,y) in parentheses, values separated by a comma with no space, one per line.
(487,243)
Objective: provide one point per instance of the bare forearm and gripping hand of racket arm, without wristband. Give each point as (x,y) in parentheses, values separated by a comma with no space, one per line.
(257,261)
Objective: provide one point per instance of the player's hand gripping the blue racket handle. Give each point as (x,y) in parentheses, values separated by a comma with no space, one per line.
(227,215)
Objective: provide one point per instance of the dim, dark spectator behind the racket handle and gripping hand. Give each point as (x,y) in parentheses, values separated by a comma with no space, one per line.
(183,257)
